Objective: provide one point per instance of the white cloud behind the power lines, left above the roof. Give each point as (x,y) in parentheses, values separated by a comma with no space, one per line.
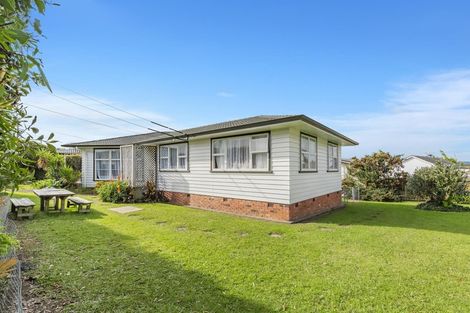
(69,129)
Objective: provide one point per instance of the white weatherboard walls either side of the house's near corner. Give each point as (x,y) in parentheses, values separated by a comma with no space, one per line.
(284,185)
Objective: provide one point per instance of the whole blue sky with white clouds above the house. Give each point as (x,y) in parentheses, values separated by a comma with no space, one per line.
(392,75)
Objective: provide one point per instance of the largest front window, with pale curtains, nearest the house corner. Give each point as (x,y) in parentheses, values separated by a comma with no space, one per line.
(241,153)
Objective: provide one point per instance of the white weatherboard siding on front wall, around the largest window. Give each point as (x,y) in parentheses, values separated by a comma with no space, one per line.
(268,187)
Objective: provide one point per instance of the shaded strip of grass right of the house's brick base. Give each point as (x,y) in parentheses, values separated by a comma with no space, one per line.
(404,215)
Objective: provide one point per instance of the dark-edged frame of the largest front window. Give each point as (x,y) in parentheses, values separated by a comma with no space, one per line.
(267,170)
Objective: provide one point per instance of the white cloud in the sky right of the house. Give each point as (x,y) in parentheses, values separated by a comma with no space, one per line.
(424,116)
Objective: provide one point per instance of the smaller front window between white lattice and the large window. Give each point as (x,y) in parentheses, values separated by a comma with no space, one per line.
(174,157)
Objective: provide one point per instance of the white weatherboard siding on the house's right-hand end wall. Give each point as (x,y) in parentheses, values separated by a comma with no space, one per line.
(306,185)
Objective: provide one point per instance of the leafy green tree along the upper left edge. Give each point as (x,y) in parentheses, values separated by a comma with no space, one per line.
(20,66)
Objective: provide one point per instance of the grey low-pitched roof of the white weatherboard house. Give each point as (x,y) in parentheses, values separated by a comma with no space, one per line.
(260,120)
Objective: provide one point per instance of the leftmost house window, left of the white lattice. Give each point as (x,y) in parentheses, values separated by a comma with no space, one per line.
(107,164)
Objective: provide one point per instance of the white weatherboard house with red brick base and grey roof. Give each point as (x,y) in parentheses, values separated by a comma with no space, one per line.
(283,168)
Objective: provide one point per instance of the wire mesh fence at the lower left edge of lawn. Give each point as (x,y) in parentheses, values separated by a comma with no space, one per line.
(10,285)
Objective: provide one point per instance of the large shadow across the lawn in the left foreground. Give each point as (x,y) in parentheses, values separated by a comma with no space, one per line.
(112,272)
